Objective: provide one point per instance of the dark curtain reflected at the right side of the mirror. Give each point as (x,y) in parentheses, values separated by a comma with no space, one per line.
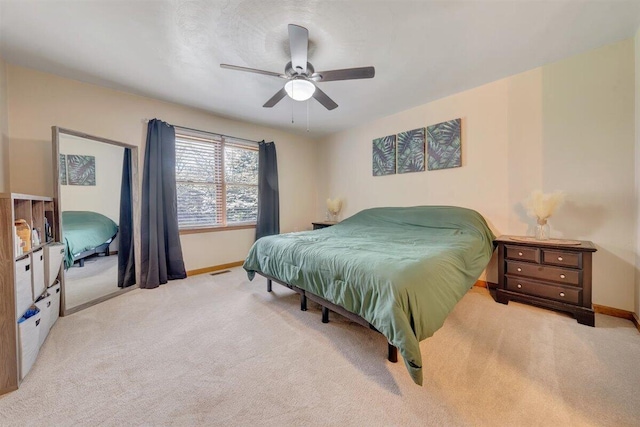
(126,260)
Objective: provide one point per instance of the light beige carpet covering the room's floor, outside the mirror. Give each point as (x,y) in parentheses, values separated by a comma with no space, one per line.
(219,350)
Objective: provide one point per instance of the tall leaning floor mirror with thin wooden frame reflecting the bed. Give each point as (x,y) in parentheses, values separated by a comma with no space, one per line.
(96,183)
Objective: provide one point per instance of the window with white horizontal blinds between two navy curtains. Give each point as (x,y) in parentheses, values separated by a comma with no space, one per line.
(217,181)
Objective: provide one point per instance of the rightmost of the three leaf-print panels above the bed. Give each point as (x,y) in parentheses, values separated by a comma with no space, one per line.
(443,145)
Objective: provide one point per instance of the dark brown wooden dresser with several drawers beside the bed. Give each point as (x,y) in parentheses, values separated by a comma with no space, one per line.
(548,275)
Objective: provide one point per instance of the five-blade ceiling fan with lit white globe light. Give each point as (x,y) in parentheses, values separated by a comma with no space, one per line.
(301,76)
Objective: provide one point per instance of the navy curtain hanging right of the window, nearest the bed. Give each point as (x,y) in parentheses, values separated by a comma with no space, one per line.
(268,195)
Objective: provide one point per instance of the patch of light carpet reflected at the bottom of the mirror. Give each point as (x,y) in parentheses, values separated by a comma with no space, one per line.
(98,277)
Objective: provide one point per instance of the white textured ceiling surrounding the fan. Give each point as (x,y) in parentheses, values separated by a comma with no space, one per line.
(422,50)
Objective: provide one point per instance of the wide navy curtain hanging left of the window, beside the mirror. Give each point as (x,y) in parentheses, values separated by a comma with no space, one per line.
(160,239)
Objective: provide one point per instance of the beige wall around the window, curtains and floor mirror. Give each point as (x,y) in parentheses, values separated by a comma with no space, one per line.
(38,101)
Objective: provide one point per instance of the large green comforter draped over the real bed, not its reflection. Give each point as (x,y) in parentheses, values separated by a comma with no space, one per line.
(401,269)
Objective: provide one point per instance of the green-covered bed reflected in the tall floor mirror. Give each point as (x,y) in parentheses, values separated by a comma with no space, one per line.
(85,234)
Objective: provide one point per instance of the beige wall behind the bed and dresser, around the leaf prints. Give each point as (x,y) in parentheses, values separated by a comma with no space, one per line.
(566,126)
